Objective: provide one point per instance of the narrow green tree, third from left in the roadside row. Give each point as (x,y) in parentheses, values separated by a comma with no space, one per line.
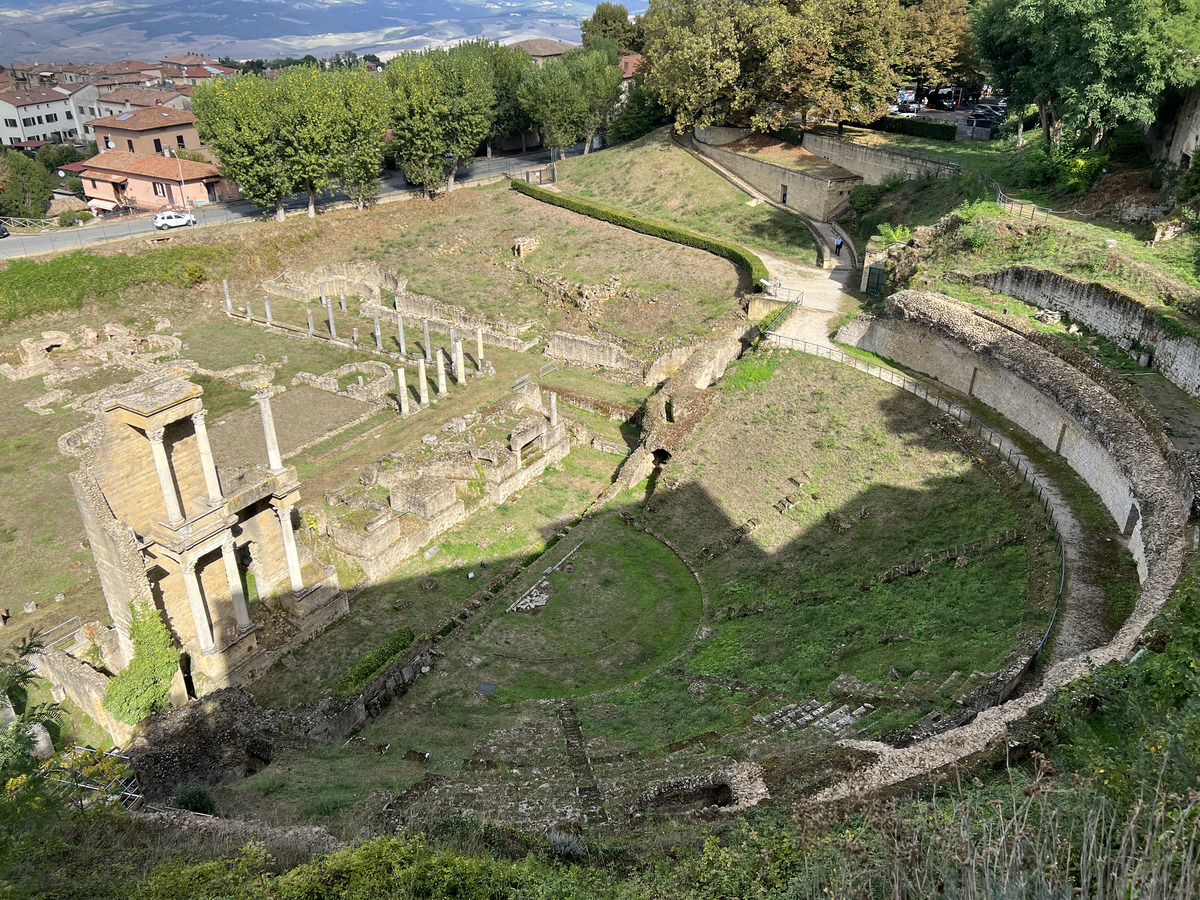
(364,103)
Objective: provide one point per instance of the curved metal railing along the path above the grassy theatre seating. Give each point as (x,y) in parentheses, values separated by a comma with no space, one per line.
(1003,447)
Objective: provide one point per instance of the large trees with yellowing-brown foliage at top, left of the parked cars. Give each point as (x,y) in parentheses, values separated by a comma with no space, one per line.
(763,64)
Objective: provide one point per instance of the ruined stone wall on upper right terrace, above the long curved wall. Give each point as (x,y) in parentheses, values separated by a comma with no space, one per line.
(1112,313)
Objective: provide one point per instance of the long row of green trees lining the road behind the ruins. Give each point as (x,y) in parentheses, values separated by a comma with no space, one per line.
(313,128)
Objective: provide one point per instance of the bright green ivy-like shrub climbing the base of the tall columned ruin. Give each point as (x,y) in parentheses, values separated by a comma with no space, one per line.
(141,689)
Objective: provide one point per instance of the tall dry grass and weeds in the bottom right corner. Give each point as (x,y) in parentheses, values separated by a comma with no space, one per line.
(1048,843)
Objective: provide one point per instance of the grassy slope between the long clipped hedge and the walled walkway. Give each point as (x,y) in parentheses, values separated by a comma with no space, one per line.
(656,178)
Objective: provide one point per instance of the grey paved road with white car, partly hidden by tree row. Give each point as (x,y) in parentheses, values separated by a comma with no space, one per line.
(394,189)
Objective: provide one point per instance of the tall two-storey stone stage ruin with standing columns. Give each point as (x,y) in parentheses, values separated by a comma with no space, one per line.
(170,532)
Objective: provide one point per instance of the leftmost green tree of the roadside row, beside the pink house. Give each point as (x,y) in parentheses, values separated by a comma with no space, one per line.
(237,118)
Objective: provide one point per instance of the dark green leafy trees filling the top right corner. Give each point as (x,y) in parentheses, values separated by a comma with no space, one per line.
(1089,64)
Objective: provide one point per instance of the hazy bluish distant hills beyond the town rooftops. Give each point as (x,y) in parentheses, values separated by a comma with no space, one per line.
(75,32)
